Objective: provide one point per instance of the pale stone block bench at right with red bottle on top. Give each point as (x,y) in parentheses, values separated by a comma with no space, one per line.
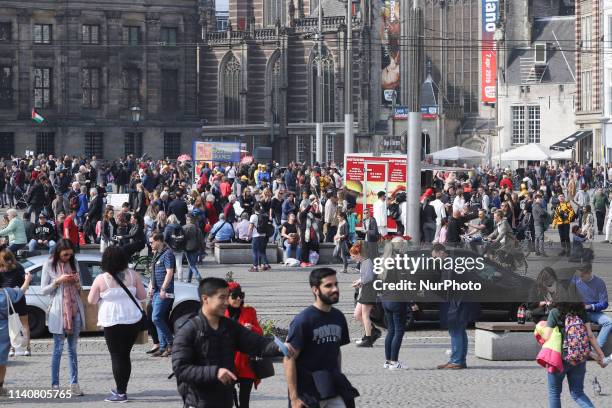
(510,341)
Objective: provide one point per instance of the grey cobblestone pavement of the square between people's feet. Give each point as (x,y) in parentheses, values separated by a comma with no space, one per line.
(279,295)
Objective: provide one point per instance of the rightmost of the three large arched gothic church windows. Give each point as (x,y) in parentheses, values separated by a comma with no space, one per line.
(327,84)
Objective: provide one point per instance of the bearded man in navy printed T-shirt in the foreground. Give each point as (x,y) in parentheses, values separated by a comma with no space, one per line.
(314,376)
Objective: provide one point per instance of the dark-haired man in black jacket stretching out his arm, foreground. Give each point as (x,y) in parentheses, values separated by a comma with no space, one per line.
(204,347)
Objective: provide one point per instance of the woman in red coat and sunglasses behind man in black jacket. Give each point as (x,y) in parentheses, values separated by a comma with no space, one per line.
(246,316)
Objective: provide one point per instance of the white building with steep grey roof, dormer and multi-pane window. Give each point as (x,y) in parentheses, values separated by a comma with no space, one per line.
(537,87)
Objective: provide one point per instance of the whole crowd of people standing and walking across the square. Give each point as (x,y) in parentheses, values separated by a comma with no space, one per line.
(172,212)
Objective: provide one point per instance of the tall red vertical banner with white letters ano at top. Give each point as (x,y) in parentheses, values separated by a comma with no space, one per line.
(490,15)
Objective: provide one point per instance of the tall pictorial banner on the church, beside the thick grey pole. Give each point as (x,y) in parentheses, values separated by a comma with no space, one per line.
(390,35)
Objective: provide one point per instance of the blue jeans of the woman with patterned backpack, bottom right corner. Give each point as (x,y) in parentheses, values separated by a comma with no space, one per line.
(575,379)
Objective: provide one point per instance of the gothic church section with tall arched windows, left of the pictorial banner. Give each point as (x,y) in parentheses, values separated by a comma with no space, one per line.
(260,81)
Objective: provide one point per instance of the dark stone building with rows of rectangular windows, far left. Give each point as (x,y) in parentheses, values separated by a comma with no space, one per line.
(84,66)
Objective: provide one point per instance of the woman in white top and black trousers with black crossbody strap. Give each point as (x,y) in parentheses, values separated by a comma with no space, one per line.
(118,314)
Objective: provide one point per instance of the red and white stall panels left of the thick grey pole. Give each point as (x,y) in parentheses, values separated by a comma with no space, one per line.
(367,175)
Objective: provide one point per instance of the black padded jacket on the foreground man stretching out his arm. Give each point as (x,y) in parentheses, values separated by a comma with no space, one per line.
(199,351)
